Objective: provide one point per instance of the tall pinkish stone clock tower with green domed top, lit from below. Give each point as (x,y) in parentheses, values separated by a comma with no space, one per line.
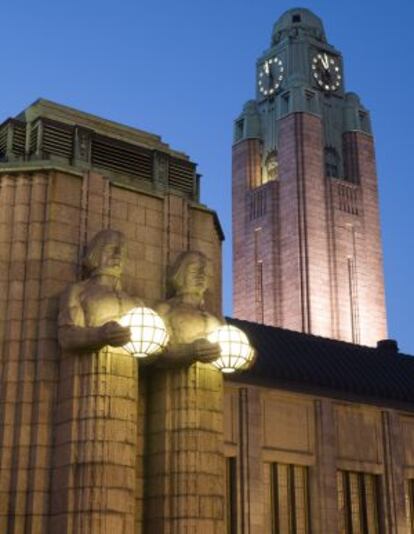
(306,233)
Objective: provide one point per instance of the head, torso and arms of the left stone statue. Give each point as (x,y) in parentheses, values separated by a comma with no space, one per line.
(89,309)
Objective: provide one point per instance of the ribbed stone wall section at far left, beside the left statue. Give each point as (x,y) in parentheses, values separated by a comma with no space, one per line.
(28,369)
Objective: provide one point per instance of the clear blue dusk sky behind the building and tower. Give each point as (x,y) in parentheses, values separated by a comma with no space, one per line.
(183,69)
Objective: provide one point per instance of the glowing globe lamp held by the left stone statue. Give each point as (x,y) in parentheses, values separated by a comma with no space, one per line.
(148,332)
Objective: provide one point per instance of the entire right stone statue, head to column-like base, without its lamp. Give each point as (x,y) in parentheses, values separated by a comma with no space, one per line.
(185,411)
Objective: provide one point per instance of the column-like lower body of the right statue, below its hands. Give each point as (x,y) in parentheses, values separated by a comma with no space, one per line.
(185,463)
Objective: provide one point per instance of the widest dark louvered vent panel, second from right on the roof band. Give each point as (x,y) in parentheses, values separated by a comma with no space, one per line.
(122,157)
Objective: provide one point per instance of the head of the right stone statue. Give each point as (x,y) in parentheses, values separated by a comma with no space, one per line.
(189,273)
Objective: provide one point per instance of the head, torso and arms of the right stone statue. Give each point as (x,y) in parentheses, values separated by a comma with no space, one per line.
(185,316)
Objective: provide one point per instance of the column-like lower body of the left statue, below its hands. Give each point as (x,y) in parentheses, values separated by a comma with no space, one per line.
(93,488)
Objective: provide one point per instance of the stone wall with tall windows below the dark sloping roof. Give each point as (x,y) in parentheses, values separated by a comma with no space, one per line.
(266,427)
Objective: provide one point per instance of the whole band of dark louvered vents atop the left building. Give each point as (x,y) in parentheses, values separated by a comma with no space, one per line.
(51,138)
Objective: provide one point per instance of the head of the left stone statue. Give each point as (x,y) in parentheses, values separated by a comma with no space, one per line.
(105,254)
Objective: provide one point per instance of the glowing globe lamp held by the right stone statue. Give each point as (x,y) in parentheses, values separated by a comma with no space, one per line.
(236,351)
